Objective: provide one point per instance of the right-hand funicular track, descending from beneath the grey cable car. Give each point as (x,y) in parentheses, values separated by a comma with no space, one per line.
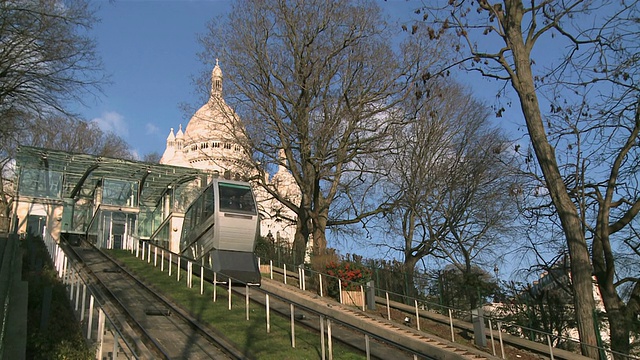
(385,339)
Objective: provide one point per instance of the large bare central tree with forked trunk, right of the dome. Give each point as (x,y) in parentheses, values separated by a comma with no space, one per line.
(316,79)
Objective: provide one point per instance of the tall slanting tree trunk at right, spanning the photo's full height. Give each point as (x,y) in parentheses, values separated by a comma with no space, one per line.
(581,270)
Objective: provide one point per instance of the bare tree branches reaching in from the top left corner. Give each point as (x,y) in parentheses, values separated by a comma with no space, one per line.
(46,57)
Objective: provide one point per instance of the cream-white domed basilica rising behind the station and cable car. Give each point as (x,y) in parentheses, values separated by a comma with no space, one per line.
(213,141)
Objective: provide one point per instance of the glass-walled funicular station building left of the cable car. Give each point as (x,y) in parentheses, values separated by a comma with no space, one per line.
(111,202)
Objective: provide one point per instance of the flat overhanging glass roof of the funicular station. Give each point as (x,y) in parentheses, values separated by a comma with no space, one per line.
(83,172)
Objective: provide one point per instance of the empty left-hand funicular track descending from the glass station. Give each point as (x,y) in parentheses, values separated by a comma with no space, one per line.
(165,330)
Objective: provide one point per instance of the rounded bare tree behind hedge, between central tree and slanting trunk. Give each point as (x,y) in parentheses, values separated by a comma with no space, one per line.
(450,180)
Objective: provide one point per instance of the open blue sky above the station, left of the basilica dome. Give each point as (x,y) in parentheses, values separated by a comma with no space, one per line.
(149,49)
